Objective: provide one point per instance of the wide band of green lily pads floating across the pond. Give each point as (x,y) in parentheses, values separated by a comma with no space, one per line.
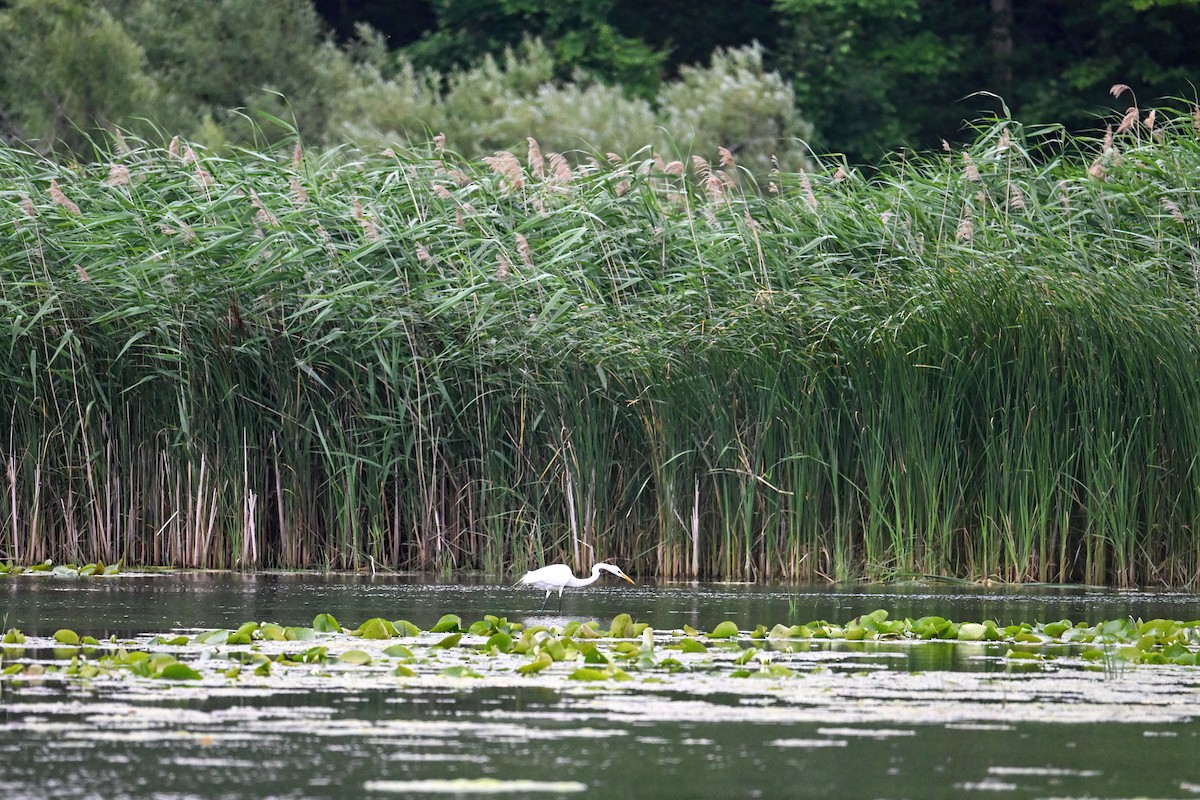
(585,651)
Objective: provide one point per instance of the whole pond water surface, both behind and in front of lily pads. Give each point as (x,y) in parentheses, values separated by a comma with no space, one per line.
(860,720)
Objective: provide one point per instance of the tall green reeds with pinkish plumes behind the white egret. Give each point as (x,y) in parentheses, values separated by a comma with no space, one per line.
(977,364)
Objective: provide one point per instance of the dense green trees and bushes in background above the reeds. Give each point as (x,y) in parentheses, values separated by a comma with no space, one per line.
(871,76)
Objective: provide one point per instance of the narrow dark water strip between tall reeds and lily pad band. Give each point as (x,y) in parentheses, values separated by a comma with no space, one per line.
(154,604)
